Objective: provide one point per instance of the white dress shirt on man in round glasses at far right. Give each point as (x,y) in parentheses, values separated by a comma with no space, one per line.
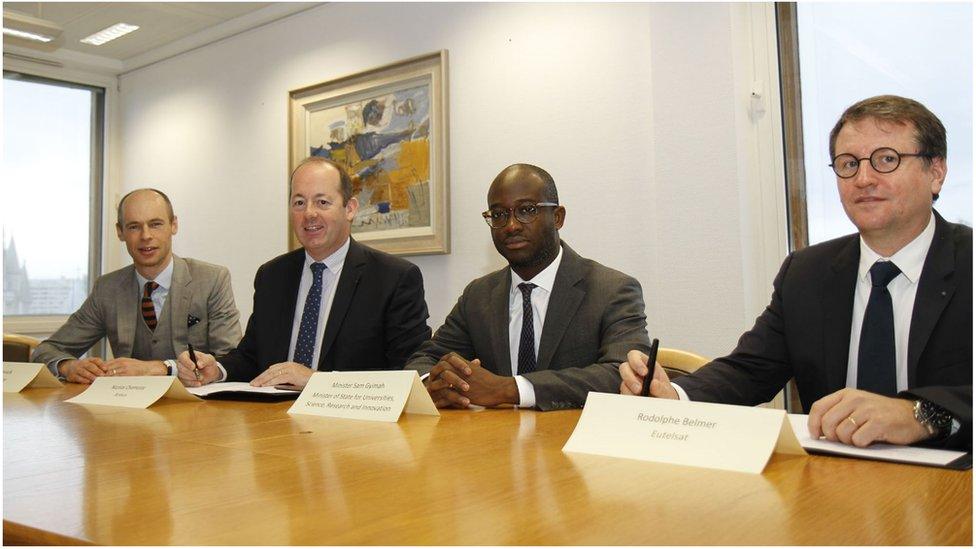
(910,260)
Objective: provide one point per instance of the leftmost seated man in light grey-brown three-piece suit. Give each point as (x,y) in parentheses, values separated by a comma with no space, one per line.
(149,310)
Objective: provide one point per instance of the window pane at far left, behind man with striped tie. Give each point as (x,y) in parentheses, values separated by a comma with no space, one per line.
(47,140)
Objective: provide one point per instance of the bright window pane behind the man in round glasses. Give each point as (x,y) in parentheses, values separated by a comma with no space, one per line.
(851,51)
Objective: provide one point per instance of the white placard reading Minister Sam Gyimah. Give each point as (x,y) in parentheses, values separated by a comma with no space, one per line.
(373,396)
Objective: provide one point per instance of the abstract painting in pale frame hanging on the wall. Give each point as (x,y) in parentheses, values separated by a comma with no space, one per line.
(388,128)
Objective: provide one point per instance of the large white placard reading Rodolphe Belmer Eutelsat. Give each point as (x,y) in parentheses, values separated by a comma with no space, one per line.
(716,436)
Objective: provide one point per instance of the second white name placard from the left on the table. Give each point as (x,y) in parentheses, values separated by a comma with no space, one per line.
(132,391)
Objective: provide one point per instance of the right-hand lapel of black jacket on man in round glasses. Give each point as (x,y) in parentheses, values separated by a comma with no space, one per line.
(935,289)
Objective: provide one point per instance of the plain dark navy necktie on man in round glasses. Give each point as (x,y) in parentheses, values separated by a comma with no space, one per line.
(876,351)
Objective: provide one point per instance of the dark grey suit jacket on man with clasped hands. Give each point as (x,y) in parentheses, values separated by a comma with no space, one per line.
(595,315)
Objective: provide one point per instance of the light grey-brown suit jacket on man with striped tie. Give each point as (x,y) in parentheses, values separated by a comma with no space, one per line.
(199,289)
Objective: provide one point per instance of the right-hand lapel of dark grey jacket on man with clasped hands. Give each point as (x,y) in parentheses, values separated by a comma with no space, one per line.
(563,303)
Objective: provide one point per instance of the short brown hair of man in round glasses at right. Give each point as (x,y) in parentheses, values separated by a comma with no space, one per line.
(930,134)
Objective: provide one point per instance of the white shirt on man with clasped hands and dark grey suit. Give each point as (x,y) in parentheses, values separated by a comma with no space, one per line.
(540,304)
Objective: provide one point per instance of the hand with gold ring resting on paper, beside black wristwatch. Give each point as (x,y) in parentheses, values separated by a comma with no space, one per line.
(860,418)
